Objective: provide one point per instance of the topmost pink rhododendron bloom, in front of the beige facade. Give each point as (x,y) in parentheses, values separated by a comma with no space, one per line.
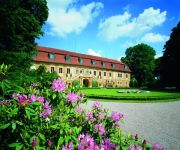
(58,85)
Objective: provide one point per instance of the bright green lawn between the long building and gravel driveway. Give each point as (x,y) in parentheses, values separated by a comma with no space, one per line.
(113,94)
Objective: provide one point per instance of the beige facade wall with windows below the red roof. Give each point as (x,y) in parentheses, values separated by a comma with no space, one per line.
(81,73)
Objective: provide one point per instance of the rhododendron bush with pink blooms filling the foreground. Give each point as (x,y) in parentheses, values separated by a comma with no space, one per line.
(52,118)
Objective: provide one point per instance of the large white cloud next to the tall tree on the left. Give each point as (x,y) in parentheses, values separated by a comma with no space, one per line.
(64,18)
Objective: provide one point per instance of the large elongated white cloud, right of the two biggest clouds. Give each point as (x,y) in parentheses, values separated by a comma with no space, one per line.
(123,25)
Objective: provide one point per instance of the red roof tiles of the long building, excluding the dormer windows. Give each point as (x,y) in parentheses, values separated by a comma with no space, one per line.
(43,52)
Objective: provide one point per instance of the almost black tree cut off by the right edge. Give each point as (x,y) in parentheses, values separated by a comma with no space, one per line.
(170,60)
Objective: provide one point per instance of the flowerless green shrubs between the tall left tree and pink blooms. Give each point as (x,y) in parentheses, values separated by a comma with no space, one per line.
(13,82)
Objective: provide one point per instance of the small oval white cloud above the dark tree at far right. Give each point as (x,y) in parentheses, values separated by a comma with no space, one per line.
(154,38)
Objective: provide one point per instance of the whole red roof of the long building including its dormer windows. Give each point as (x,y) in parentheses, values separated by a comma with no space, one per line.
(65,57)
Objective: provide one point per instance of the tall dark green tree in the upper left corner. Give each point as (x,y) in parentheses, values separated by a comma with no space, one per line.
(21,23)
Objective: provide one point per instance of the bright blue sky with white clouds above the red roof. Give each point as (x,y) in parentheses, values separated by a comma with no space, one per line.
(107,28)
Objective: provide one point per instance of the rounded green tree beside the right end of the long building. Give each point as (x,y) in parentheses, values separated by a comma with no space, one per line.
(140,60)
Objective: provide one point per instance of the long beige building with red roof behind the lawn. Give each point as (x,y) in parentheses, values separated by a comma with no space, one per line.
(87,69)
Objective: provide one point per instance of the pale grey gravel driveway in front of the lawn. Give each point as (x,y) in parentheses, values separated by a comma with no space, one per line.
(156,122)
